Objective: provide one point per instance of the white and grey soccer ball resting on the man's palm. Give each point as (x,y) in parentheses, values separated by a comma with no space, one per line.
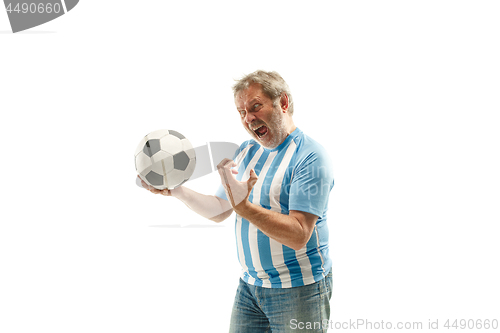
(165,159)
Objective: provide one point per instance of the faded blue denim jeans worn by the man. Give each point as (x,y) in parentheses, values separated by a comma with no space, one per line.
(279,310)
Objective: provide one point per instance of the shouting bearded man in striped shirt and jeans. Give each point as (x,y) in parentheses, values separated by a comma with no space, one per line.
(278,185)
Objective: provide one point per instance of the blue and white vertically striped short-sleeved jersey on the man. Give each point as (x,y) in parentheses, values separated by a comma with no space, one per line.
(296,175)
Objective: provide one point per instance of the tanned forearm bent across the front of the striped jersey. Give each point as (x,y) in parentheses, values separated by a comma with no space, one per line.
(285,229)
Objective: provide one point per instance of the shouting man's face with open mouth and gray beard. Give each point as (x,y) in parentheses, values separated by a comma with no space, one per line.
(264,122)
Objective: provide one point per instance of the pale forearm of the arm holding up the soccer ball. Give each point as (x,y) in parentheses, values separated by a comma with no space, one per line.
(207,206)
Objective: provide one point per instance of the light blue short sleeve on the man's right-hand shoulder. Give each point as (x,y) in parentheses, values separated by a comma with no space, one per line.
(311,183)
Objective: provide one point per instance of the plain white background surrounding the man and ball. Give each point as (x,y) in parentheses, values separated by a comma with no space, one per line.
(403,94)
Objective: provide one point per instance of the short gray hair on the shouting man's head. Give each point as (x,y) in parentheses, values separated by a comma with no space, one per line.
(272,84)
